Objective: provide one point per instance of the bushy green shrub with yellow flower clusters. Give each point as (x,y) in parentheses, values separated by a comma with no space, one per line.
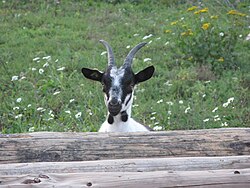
(204,40)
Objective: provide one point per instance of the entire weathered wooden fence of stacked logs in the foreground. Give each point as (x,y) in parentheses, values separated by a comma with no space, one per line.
(202,158)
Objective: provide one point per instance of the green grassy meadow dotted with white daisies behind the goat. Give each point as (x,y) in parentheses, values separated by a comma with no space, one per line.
(201,53)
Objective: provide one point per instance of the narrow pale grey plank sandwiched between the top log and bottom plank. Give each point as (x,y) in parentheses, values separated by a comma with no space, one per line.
(129,165)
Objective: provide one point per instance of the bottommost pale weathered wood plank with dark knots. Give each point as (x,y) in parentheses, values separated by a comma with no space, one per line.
(204,179)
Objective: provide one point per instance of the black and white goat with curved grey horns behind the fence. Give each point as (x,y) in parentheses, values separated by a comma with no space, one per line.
(118,86)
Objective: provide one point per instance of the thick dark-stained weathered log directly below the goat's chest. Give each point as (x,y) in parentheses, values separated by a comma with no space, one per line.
(55,147)
